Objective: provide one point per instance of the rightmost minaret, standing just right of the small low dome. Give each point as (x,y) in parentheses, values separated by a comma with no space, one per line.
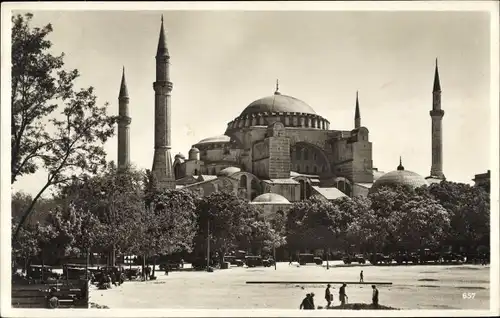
(437,133)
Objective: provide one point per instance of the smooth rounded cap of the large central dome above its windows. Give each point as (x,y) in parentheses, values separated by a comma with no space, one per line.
(278,103)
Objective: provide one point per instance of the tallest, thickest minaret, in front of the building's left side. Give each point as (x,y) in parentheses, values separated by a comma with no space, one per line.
(162,160)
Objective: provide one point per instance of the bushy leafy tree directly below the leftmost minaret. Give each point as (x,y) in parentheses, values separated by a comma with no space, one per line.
(116,198)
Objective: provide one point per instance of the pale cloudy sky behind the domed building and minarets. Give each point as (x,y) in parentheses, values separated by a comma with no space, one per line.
(224,60)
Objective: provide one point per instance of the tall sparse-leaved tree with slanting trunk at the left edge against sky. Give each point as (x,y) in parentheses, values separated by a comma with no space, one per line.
(40,86)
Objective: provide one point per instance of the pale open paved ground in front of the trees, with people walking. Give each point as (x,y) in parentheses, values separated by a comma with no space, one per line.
(414,287)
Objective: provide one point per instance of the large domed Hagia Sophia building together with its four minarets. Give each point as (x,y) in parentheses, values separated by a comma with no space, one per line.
(276,152)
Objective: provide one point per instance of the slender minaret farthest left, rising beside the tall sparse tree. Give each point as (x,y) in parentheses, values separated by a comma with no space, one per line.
(123,125)
